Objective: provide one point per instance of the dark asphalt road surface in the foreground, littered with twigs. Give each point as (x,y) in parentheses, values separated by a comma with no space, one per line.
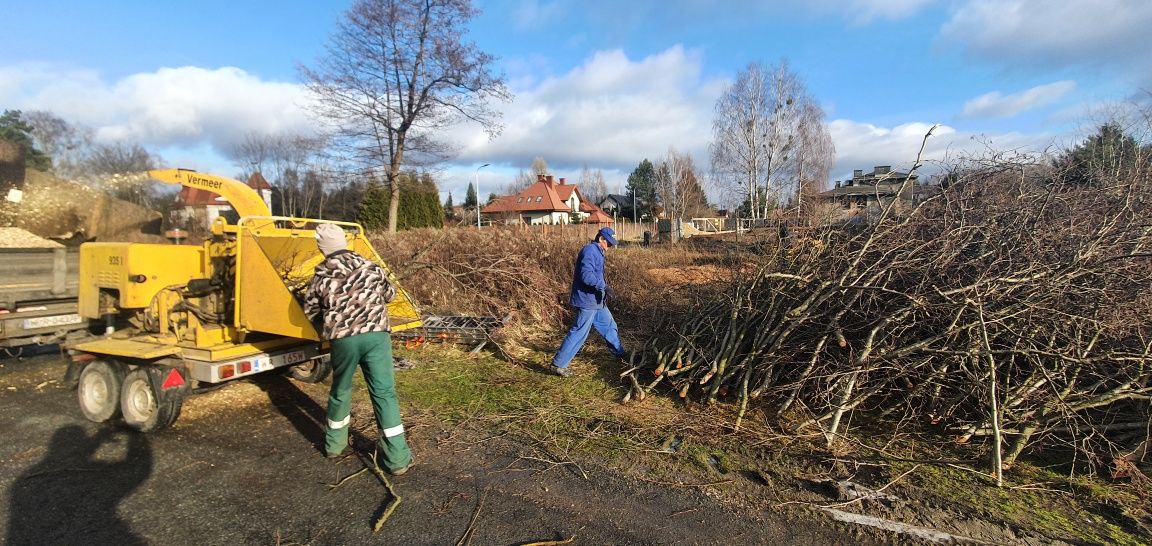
(242,466)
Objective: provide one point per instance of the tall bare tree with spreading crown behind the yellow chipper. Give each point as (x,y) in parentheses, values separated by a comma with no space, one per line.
(397,72)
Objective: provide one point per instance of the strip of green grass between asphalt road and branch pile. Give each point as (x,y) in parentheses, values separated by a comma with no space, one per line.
(665,442)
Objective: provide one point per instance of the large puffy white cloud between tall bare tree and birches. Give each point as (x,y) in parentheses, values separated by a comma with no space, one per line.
(611,113)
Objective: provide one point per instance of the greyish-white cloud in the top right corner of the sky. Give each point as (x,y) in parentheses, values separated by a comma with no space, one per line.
(1094,33)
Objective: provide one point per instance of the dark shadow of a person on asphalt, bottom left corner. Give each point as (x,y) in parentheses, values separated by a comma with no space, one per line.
(72,496)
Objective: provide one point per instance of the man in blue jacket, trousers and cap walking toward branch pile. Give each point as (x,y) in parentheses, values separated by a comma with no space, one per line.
(589,298)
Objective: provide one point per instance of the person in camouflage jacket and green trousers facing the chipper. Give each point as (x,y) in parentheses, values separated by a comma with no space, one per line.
(348,297)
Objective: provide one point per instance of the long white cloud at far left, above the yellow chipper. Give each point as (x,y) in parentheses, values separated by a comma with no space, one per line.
(186,108)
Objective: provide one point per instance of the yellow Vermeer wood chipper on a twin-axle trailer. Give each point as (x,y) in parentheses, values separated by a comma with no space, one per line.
(177,318)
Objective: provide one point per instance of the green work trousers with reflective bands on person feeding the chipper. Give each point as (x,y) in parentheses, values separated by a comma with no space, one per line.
(373,352)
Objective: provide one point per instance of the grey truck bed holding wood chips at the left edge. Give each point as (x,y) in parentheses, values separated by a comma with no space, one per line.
(37,291)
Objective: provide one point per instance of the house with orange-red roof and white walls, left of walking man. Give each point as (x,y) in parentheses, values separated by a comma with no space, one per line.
(548,201)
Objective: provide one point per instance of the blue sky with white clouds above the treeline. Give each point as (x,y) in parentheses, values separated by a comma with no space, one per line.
(597,82)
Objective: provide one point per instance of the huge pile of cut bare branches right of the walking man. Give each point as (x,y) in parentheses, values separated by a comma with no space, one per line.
(1011,305)
